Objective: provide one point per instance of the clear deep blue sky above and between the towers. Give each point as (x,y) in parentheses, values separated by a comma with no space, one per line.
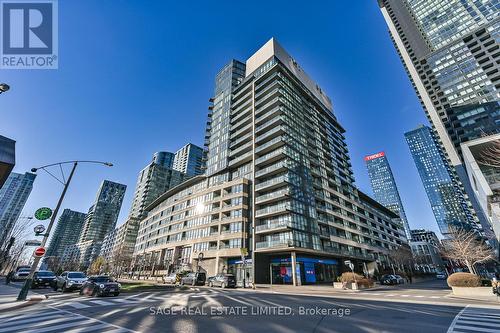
(135,77)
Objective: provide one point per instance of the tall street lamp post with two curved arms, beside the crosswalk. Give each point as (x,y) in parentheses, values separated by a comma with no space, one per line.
(27,284)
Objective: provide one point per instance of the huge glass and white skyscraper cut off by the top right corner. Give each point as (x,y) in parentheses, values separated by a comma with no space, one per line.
(450,51)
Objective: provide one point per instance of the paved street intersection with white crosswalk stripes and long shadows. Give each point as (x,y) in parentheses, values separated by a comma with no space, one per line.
(214,310)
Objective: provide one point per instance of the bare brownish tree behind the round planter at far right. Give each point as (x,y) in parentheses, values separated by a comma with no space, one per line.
(465,248)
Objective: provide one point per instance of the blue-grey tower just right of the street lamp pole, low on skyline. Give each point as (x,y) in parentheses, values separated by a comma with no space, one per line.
(67,232)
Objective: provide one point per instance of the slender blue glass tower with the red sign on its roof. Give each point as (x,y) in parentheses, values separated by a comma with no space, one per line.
(384,187)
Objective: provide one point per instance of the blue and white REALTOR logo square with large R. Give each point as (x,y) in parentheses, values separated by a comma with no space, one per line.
(28,34)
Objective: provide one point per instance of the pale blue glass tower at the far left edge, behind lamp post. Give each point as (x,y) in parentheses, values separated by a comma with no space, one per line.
(13,196)
